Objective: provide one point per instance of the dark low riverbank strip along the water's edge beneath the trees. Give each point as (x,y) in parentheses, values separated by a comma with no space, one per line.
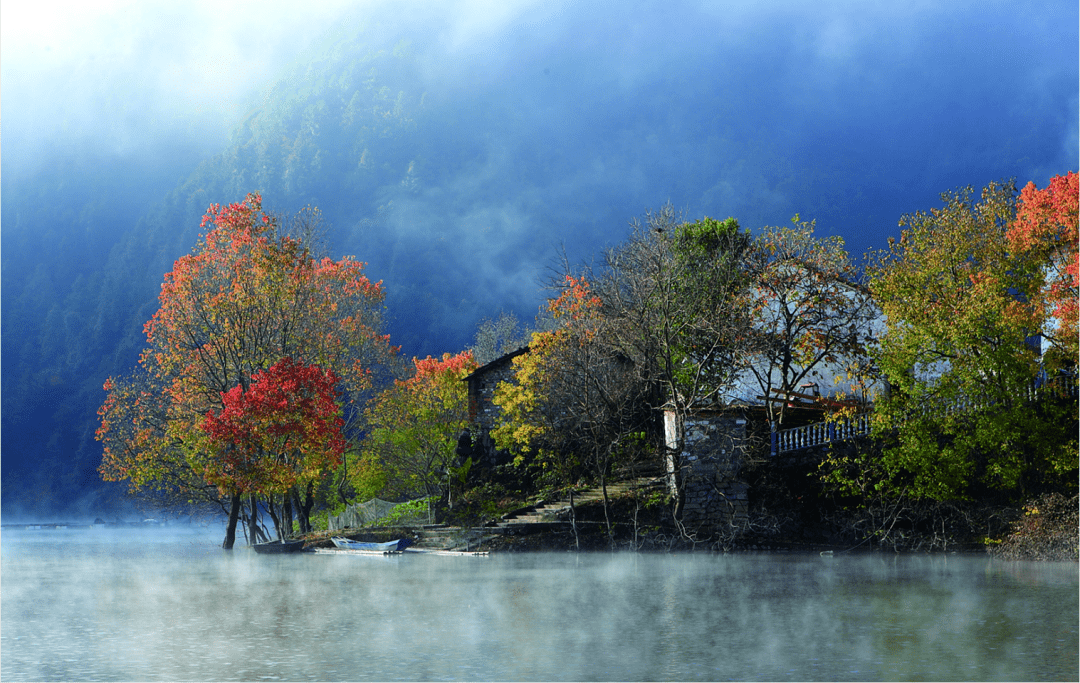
(1045,530)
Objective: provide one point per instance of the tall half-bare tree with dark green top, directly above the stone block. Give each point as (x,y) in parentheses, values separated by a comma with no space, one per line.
(679,301)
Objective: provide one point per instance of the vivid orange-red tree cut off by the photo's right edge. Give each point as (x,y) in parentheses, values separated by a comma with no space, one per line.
(1046,230)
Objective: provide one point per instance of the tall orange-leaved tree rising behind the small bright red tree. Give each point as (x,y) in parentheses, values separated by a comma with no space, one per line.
(246,299)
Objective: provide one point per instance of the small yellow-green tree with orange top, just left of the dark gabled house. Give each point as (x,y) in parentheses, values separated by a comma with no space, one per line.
(413,428)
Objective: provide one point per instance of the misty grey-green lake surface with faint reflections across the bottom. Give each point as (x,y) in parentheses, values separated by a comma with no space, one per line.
(94,605)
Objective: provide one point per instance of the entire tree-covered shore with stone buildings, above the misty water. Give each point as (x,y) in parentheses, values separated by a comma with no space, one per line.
(700,387)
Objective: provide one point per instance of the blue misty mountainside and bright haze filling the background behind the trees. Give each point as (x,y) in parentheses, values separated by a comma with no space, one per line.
(460,149)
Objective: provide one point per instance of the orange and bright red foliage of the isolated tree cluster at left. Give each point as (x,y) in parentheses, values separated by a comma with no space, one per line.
(238,384)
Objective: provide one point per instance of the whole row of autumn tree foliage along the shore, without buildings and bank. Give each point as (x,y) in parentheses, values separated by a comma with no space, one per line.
(259,345)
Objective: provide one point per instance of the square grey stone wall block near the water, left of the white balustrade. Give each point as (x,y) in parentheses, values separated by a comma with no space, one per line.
(714,499)
